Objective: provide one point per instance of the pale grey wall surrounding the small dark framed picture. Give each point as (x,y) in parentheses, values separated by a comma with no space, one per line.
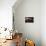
(29,8)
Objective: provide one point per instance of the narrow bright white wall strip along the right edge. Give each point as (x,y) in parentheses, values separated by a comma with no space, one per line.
(43,22)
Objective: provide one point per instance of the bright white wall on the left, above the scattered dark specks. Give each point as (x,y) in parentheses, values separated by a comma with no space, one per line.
(6,13)
